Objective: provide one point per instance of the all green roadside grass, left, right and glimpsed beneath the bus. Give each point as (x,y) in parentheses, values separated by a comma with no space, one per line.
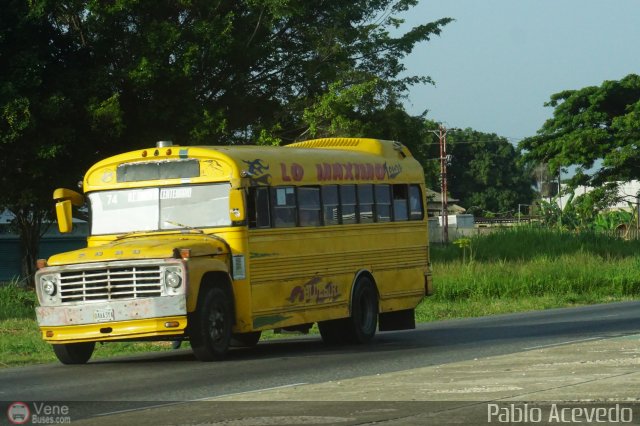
(511,270)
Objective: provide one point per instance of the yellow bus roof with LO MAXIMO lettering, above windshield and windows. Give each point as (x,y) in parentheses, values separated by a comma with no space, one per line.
(330,160)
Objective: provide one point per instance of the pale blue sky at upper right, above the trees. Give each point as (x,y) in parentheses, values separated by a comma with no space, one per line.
(501,60)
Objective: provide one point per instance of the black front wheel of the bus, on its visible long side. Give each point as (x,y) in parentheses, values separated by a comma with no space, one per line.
(210,331)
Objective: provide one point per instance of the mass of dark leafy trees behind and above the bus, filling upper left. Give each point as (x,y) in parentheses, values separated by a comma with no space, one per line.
(82,80)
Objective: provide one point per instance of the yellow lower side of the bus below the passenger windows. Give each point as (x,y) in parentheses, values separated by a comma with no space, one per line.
(304,275)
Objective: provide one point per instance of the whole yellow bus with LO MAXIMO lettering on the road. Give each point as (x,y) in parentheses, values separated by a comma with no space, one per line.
(214,244)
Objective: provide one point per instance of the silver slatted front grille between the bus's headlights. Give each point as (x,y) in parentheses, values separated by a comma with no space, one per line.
(111,283)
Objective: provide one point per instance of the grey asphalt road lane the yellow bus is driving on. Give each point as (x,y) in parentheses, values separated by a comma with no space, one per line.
(160,378)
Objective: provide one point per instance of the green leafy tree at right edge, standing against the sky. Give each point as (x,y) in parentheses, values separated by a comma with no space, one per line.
(592,126)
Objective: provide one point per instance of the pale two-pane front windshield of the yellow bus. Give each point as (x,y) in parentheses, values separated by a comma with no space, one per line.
(155,209)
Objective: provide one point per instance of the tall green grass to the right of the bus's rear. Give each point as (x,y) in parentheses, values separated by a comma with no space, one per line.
(527,268)
